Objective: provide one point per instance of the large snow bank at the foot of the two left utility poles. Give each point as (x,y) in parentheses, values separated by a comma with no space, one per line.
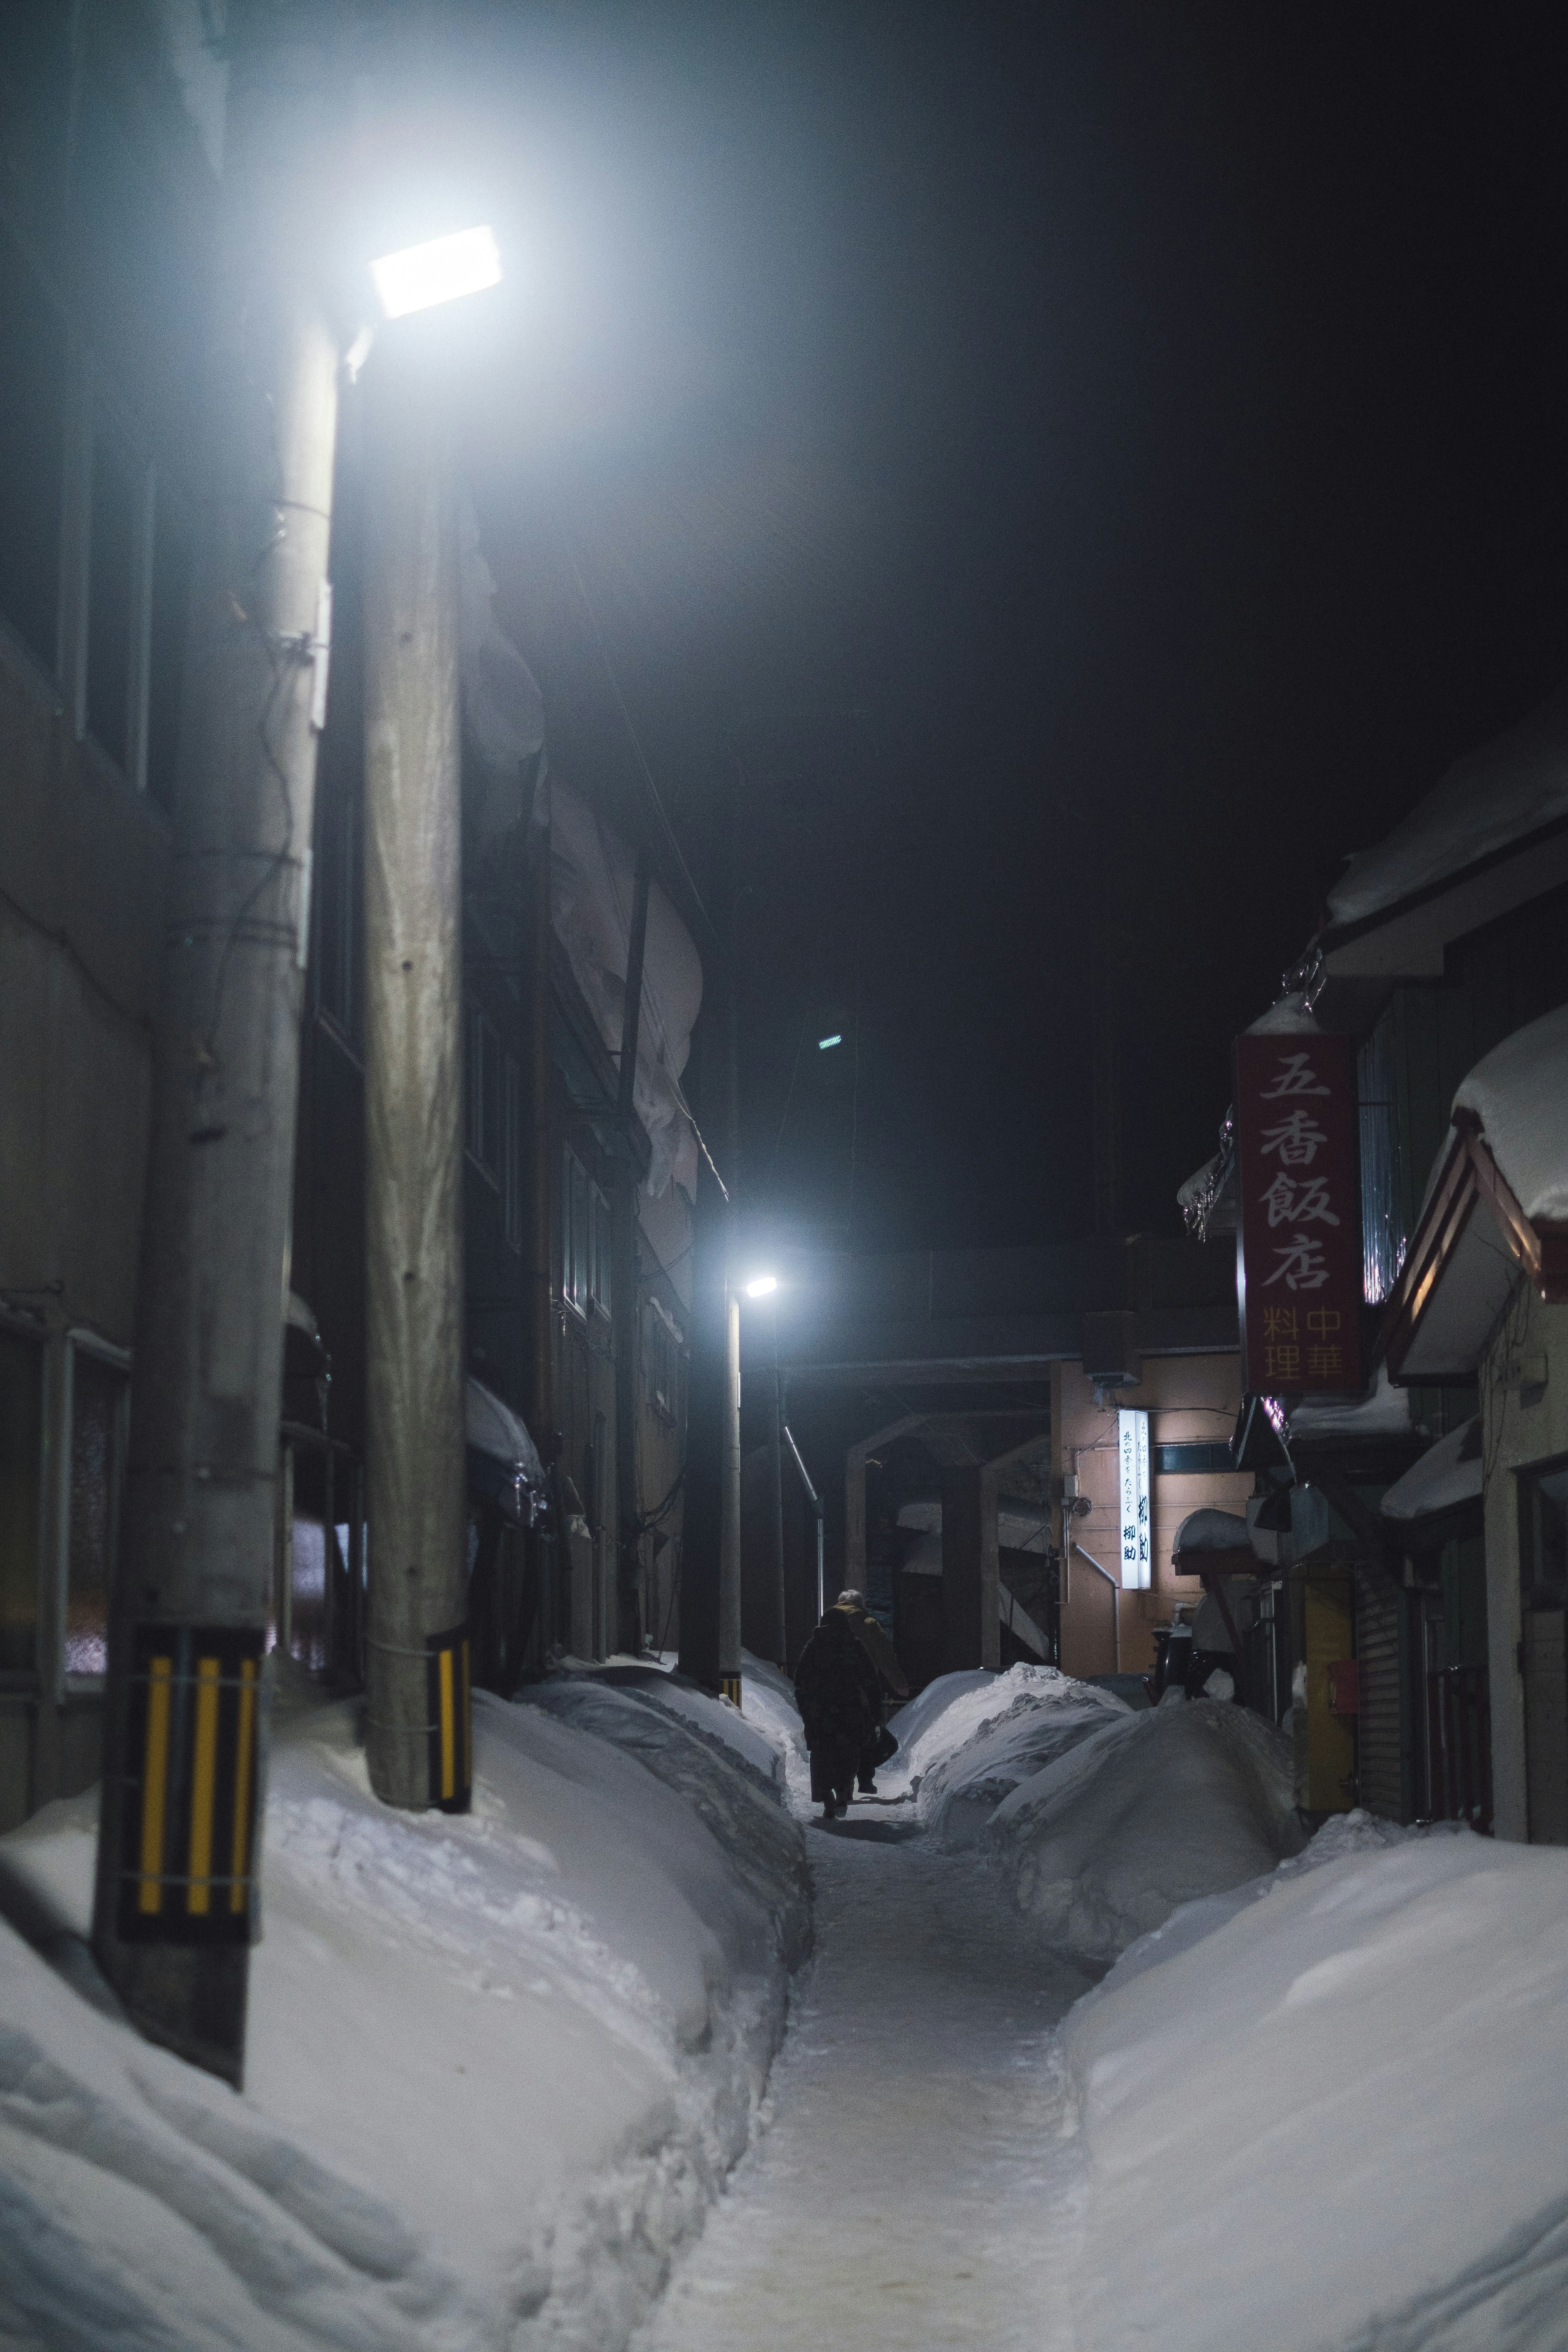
(497,2064)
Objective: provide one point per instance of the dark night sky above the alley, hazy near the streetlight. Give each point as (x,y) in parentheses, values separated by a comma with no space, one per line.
(1080,467)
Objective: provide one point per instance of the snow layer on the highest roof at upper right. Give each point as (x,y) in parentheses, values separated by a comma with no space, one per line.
(1487,801)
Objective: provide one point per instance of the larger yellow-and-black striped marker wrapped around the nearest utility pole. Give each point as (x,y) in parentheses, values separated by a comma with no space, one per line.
(192,1791)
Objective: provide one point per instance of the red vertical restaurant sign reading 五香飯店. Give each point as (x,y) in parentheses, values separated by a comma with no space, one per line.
(1299,1271)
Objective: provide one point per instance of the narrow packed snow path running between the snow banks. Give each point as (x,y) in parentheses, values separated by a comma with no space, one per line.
(913,2189)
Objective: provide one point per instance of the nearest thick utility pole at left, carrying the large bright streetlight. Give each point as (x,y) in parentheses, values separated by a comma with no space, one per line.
(180,1829)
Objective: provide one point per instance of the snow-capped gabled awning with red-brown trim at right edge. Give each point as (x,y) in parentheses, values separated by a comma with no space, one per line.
(1496,1208)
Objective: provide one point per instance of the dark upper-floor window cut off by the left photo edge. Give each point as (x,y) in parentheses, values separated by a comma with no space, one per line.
(32,455)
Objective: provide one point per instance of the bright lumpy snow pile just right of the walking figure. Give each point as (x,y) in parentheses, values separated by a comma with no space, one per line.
(989,1737)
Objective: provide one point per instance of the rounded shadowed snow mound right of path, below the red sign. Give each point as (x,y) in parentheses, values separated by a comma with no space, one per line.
(1146,1815)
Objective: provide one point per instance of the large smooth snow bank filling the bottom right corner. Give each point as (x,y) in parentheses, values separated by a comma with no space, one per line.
(1341,2120)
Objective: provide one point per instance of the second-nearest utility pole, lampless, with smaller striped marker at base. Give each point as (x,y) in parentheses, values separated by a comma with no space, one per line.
(415,1469)
